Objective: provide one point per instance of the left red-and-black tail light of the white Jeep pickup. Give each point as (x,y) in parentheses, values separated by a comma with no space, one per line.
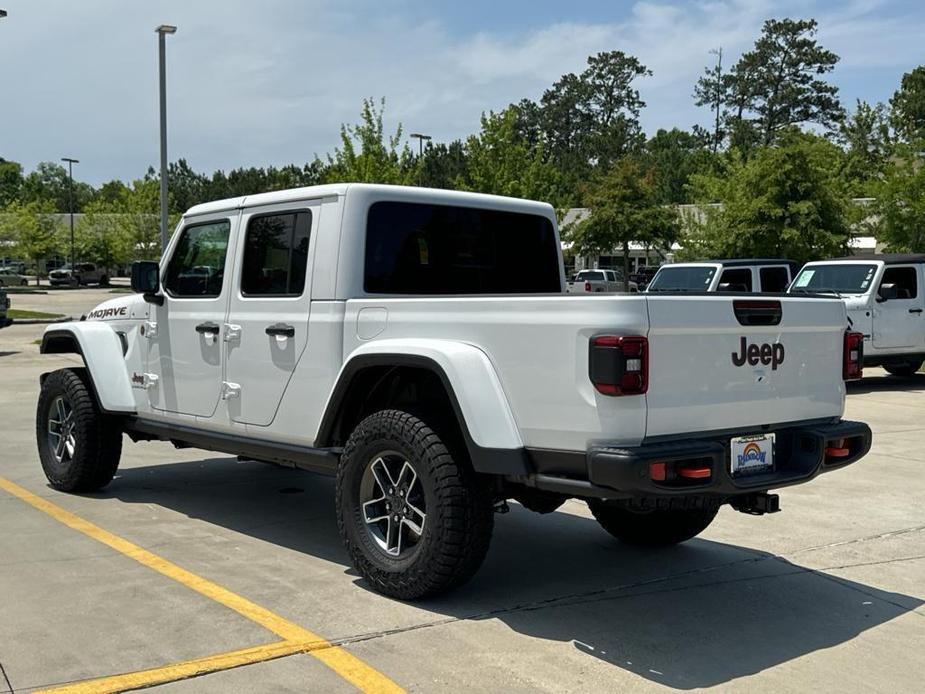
(619,365)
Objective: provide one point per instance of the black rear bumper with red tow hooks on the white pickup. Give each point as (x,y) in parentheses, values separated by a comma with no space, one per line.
(617,472)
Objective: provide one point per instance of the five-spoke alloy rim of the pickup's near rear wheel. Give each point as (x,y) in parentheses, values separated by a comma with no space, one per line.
(393,504)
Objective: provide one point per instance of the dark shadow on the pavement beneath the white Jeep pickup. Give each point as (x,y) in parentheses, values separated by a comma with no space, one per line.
(697,615)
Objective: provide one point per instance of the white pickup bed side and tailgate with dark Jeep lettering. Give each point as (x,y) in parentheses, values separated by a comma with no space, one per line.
(538,345)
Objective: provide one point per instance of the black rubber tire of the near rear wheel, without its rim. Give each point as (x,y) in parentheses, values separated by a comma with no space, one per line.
(460,514)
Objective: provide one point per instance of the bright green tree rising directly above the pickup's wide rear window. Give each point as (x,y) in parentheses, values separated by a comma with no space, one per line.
(500,162)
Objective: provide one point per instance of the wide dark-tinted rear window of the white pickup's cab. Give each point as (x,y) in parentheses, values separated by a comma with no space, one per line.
(416,248)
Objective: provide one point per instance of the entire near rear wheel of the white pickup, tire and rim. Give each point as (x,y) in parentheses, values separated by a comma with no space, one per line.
(416,519)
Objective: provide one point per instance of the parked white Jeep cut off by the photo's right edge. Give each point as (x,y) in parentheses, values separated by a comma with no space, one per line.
(885,298)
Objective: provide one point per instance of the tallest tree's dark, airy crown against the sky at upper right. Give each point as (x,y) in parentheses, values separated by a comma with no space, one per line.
(775,85)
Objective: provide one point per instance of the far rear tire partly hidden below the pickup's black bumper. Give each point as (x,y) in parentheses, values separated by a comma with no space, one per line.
(654,526)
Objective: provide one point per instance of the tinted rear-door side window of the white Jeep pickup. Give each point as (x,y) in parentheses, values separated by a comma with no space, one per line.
(276,254)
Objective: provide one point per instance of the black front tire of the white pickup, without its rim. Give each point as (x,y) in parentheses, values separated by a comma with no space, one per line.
(97,436)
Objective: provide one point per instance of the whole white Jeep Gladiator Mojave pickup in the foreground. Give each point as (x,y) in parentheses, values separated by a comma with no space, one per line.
(419,345)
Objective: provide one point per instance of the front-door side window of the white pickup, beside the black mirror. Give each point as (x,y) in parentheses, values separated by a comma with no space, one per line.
(197,266)
